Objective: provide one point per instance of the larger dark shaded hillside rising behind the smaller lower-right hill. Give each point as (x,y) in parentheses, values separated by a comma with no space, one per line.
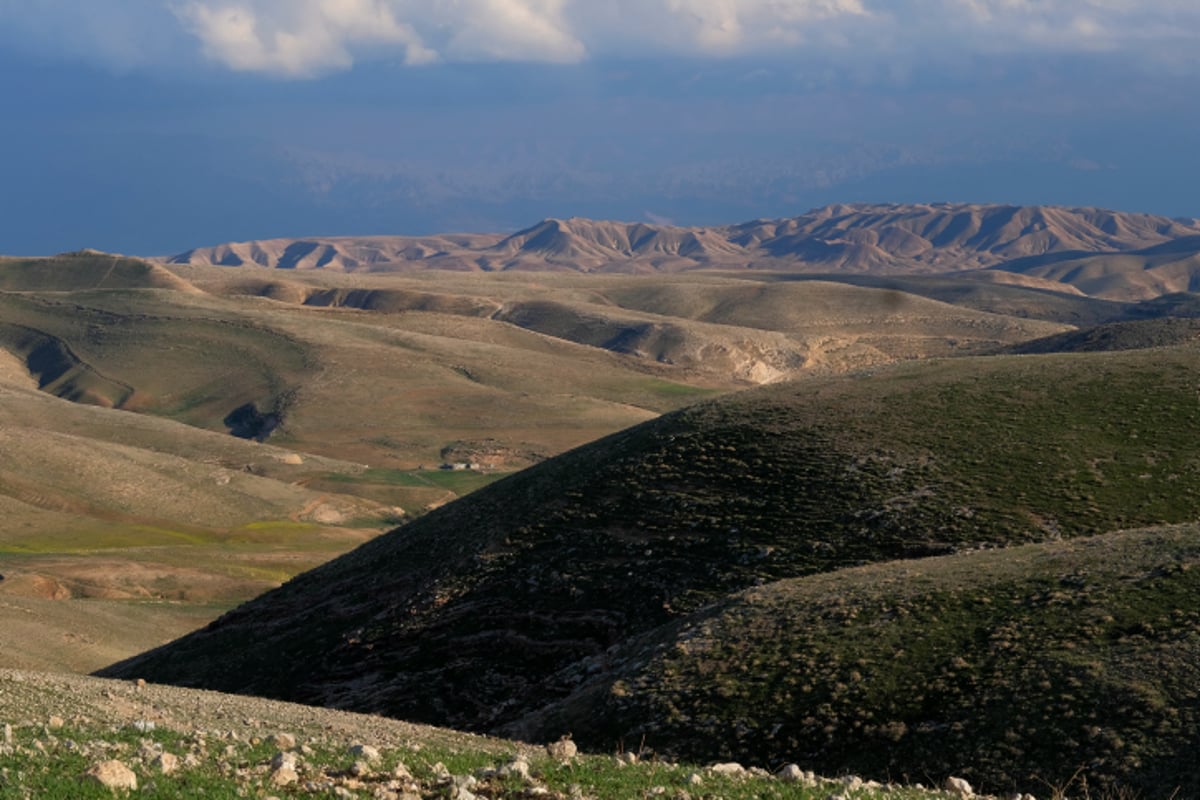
(509,600)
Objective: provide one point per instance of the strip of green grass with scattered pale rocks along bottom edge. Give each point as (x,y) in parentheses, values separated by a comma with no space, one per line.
(51,765)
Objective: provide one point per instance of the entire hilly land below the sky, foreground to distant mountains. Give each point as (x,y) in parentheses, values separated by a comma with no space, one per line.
(889,494)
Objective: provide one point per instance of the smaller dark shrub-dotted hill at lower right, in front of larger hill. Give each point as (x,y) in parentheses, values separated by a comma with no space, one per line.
(1019,670)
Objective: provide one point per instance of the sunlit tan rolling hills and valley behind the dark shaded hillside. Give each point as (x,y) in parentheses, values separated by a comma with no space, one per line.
(195,436)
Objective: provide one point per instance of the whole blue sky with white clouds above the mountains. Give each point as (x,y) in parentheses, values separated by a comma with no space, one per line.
(154,127)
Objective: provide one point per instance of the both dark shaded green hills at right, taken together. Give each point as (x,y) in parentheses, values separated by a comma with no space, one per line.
(599,592)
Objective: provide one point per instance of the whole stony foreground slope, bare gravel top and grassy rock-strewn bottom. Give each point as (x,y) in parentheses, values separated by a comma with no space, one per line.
(73,737)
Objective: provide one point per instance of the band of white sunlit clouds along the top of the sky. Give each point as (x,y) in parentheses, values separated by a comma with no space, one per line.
(310,38)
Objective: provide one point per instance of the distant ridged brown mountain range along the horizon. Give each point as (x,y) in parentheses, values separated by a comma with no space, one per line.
(1101,254)
